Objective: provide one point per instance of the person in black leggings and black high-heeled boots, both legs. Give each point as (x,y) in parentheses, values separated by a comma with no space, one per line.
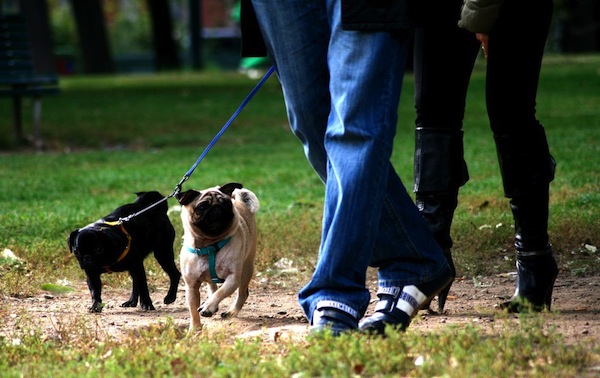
(512,34)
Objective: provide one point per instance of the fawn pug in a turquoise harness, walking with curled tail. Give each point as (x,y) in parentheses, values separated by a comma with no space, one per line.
(219,246)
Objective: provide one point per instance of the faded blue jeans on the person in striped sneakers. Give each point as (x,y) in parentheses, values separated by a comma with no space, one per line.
(342,90)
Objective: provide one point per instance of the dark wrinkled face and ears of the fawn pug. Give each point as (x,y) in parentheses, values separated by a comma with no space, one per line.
(209,211)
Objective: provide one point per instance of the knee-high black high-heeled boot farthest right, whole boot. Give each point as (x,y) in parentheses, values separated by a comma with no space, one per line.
(527,169)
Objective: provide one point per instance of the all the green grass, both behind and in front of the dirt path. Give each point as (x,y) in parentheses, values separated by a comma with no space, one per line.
(109,137)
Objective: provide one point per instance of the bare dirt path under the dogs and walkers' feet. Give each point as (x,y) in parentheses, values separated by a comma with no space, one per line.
(272,310)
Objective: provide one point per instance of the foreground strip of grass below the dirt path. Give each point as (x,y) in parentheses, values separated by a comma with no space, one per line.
(504,349)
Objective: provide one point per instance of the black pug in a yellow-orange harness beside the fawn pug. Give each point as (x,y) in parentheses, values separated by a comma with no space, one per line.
(107,246)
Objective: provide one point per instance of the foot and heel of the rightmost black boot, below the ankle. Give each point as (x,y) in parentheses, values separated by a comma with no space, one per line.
(536,273)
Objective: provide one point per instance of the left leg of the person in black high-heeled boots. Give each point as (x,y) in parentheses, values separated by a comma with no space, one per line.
(439,166)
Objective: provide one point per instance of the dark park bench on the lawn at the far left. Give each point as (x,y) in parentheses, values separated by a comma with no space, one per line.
(19,77)
